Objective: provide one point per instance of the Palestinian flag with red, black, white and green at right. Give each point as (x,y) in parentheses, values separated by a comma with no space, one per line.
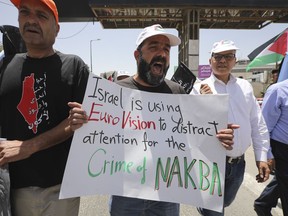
(272,51)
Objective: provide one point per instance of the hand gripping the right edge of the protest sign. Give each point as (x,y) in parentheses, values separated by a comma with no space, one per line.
(226,136)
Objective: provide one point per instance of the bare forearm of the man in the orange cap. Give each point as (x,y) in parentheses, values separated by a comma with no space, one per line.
(14,150)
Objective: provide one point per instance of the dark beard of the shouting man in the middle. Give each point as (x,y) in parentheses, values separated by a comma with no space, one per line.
(145,73)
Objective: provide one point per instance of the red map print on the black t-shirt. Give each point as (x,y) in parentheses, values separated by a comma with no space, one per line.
(28,105)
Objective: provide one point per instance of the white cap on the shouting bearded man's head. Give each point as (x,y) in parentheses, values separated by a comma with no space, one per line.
(157,30)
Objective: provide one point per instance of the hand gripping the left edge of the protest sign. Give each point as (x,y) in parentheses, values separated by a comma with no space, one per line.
(77,116)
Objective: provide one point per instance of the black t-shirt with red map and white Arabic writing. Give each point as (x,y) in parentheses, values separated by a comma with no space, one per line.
(33,99)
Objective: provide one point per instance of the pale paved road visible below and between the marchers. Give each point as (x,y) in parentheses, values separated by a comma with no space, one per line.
(242,206)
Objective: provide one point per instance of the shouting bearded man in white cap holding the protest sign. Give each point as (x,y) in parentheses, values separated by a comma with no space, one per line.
(152,56)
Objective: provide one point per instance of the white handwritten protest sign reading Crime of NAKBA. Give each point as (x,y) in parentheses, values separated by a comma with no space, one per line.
(148,145)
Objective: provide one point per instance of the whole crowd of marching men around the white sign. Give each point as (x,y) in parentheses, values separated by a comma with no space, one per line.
(41,92)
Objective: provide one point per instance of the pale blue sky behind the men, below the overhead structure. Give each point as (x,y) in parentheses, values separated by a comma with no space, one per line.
(114,50)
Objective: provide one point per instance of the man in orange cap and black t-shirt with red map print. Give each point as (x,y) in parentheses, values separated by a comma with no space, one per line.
(35,89)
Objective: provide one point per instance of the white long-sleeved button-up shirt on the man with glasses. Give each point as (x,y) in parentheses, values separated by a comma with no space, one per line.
(245,111)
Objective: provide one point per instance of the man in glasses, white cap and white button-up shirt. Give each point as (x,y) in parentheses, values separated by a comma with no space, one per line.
(244,111)
